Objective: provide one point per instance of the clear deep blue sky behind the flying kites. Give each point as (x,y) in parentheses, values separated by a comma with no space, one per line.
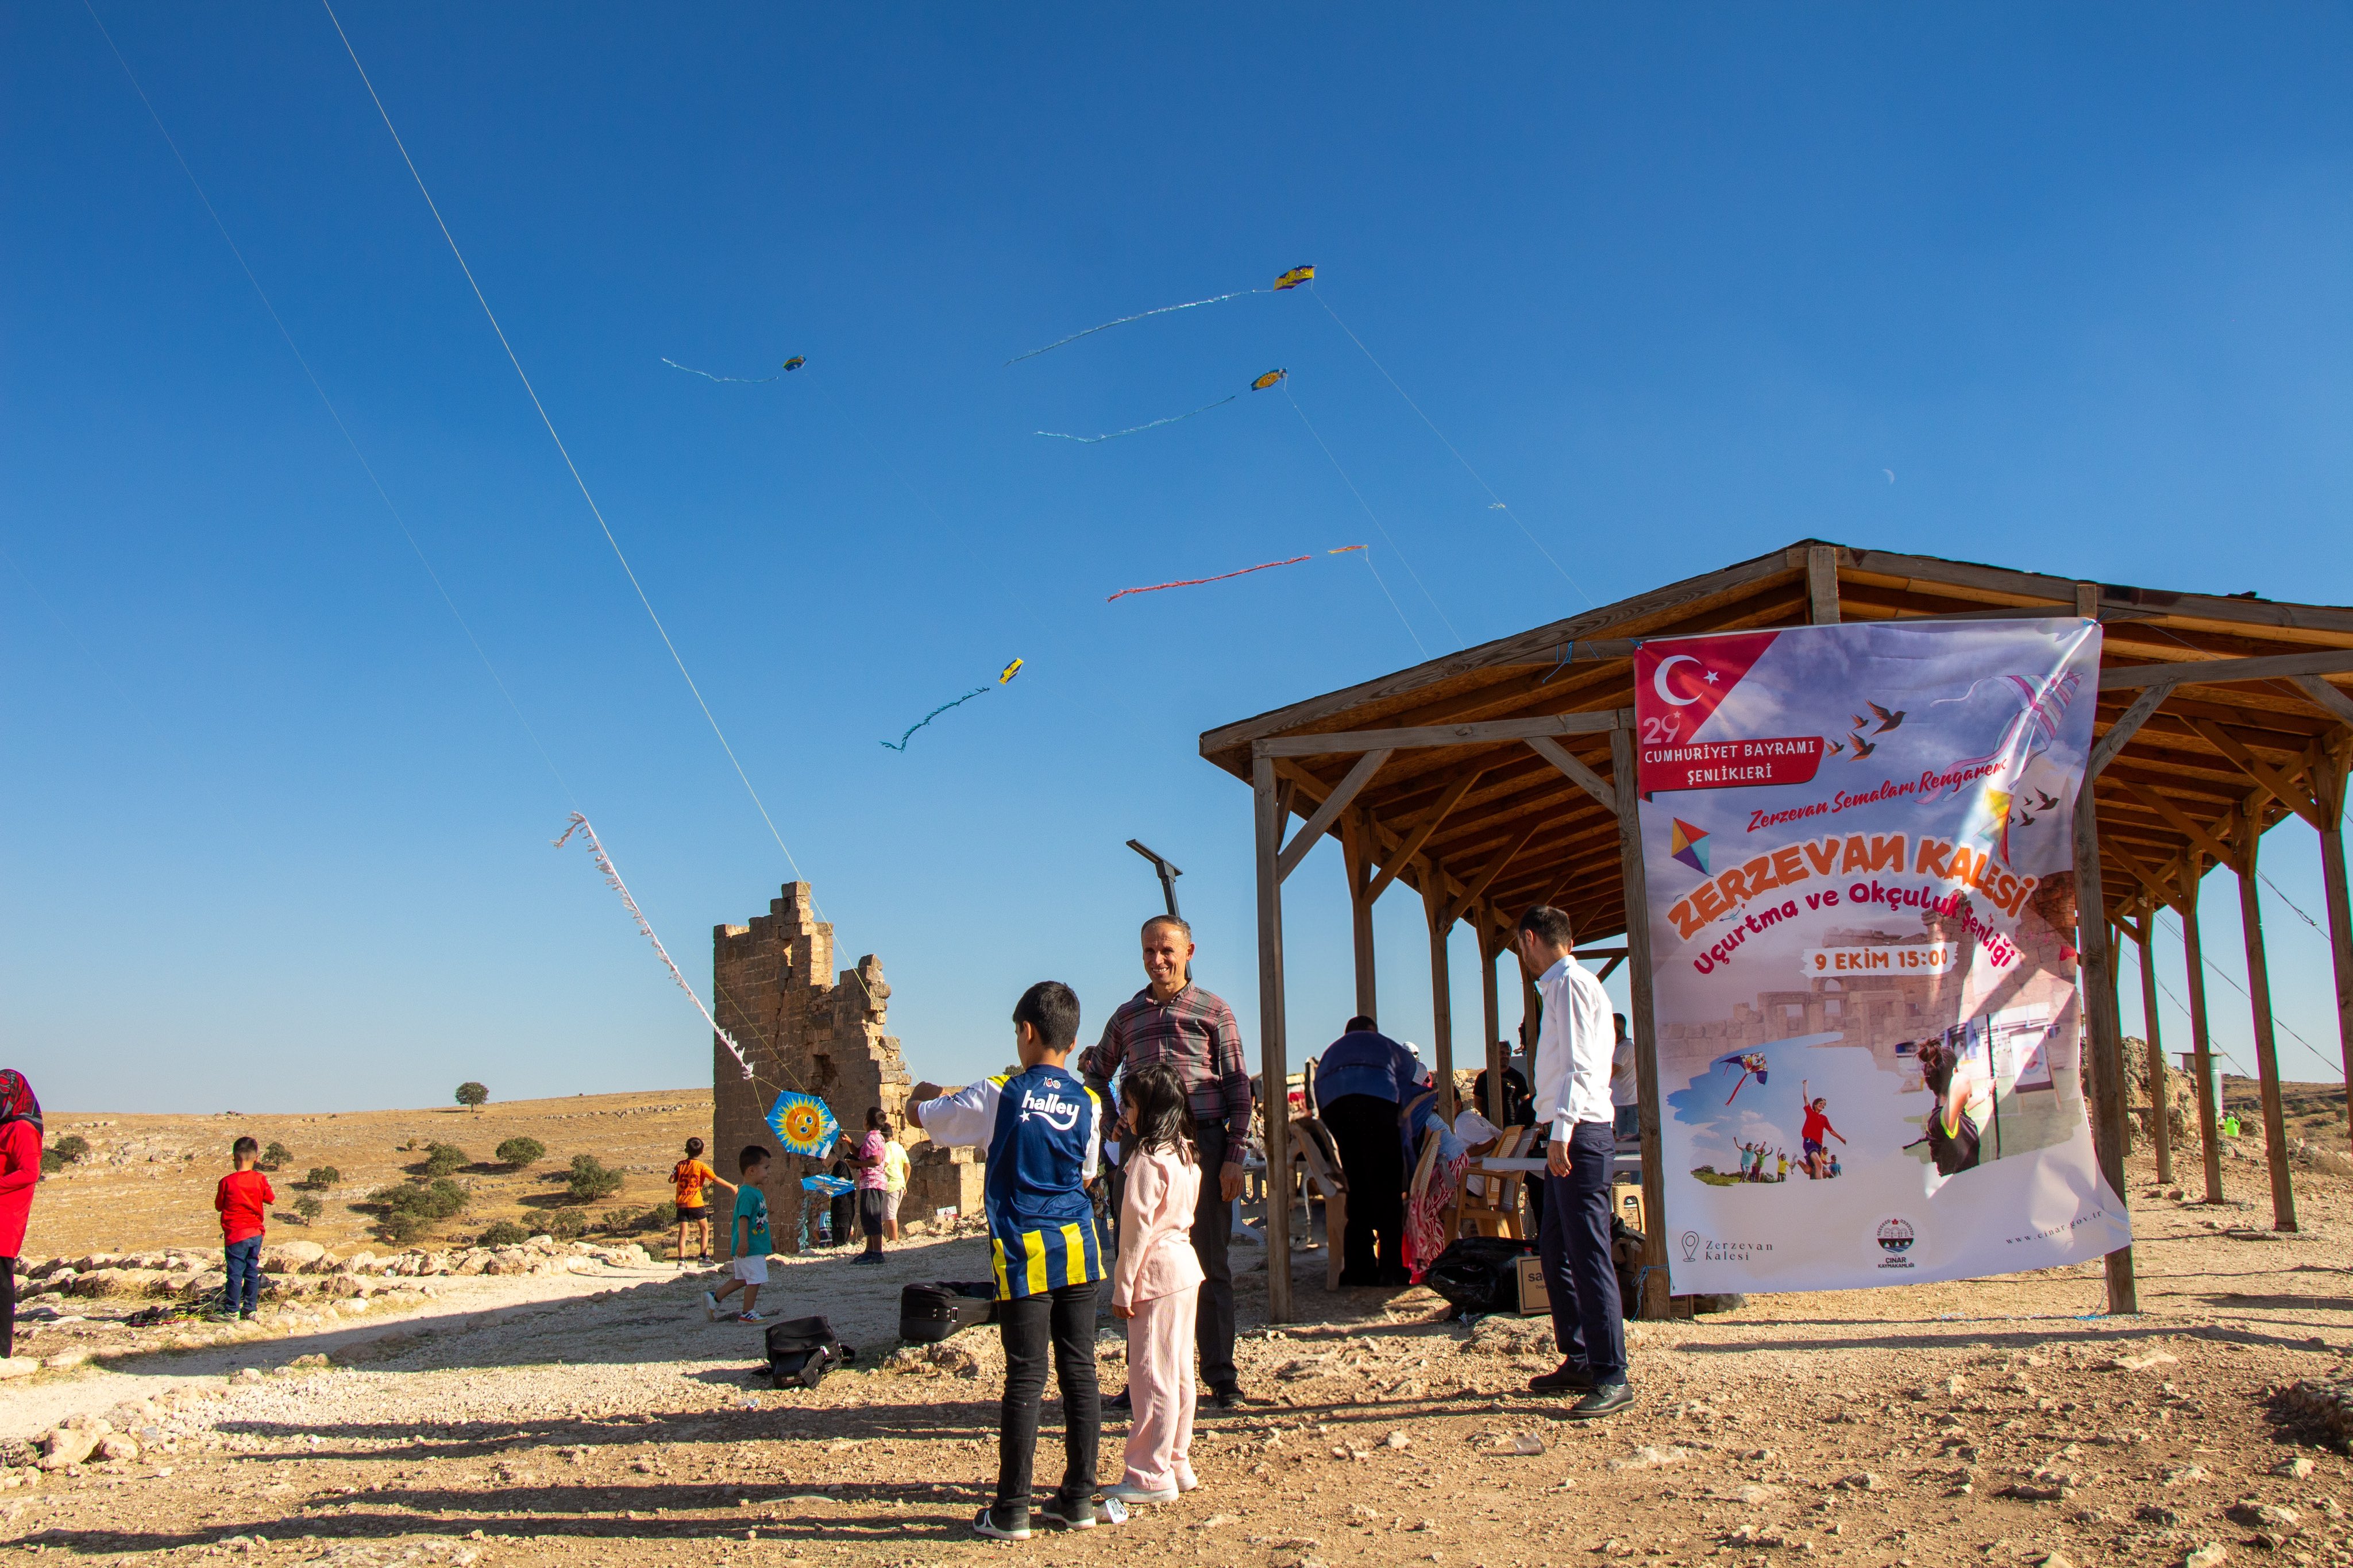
(1684,286)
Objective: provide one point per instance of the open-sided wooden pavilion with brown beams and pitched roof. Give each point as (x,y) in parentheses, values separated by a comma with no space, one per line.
(1502,777)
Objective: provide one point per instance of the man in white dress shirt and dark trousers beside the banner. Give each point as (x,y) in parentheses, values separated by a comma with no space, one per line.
(1575,1047)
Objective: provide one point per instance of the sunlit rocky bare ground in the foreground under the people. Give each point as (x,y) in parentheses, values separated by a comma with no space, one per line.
(554,1419)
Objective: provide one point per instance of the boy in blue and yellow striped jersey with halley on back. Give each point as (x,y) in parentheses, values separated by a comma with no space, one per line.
(1044,1132)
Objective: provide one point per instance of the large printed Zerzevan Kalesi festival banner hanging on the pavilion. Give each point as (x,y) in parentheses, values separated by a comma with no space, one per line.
(1862,911)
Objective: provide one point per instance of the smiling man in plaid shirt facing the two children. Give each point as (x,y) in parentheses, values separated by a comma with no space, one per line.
(1175,1021)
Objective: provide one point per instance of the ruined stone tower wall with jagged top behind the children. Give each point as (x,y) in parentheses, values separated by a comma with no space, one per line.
(813,1031)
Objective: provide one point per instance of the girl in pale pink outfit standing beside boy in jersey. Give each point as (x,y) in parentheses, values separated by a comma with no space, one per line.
(1156,1285)
